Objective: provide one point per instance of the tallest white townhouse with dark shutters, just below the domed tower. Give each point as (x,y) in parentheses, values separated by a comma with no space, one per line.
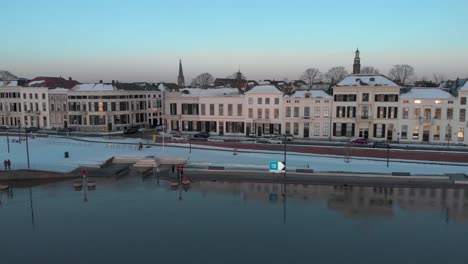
(365,106)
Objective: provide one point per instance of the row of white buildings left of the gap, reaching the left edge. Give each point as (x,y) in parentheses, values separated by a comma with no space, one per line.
(85,107)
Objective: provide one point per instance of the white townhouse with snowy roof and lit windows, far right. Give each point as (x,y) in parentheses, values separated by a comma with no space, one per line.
(428,115)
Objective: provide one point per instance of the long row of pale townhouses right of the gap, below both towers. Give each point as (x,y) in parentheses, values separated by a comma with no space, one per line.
(370,106)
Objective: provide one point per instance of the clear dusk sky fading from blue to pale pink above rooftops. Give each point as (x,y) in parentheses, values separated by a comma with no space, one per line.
(144,40)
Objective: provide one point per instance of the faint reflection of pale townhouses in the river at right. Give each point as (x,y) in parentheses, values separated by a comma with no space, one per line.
(354,201)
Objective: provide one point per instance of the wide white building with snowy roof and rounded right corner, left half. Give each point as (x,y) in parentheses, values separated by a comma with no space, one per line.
(104,107)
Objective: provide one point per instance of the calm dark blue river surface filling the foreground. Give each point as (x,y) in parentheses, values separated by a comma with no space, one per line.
(143,221)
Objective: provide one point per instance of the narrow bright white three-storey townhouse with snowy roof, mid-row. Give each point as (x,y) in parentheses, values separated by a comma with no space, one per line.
(265,112)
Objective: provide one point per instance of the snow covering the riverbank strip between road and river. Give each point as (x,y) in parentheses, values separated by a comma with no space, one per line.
(48,154)
